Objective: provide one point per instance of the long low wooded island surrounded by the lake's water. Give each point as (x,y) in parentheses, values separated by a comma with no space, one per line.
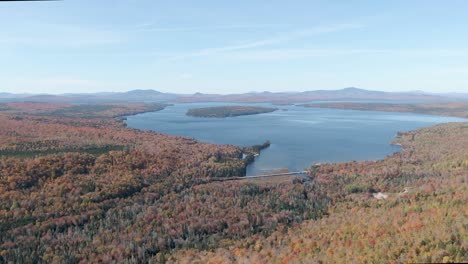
(228,111)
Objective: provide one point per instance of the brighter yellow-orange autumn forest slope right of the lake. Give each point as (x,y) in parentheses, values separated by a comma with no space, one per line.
(423,219)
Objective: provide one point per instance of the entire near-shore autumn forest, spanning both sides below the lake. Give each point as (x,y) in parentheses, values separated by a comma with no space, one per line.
(78,186)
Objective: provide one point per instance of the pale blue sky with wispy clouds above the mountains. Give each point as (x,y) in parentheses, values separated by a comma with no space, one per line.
(233,46)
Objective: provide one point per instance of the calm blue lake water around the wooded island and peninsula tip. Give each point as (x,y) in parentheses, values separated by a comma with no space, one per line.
(300,136)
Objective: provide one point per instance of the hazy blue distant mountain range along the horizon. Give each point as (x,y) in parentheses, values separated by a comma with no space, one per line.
(350,93)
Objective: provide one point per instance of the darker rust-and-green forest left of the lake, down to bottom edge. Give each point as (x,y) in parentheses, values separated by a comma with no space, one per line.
(144,197)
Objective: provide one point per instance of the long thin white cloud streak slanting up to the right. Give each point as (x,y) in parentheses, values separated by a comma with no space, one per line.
(278,39)
